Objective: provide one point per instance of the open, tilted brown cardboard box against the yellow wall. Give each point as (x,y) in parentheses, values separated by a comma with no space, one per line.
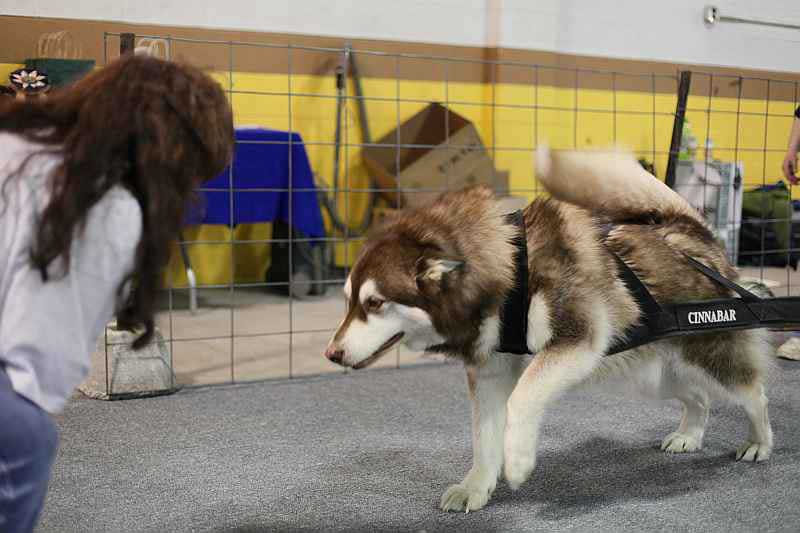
(433,151)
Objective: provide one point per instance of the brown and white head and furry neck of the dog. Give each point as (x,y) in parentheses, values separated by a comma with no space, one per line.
(424,279)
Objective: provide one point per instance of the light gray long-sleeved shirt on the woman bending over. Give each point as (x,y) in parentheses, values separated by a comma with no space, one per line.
(49,329)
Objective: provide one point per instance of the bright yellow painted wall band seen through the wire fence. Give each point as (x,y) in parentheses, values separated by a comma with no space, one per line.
(522,117)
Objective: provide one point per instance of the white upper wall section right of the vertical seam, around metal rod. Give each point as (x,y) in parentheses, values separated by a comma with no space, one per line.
(658,30)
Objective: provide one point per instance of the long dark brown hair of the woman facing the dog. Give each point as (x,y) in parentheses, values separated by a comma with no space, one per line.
(155,127)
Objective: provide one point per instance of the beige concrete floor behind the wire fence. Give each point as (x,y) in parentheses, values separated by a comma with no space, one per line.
(252,335)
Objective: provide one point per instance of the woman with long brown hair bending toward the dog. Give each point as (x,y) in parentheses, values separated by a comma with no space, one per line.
(94,181)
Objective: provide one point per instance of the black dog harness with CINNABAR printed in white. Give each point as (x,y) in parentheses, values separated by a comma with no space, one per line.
(657,321)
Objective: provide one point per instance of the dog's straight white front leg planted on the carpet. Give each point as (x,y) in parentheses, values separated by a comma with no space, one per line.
(489,388)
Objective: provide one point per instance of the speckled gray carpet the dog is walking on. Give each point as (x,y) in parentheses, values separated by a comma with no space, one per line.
(373,451)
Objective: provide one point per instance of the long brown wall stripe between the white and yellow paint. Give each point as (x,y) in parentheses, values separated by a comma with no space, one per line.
(312,55)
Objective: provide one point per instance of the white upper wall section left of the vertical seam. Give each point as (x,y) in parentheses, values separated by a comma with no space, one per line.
(404,20)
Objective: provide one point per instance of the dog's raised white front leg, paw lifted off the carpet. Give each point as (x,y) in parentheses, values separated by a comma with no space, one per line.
(552,371)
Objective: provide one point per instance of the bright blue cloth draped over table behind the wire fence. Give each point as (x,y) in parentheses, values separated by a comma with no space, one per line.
(264,159)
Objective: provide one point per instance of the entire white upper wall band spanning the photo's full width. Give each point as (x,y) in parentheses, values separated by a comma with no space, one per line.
(660,30)
